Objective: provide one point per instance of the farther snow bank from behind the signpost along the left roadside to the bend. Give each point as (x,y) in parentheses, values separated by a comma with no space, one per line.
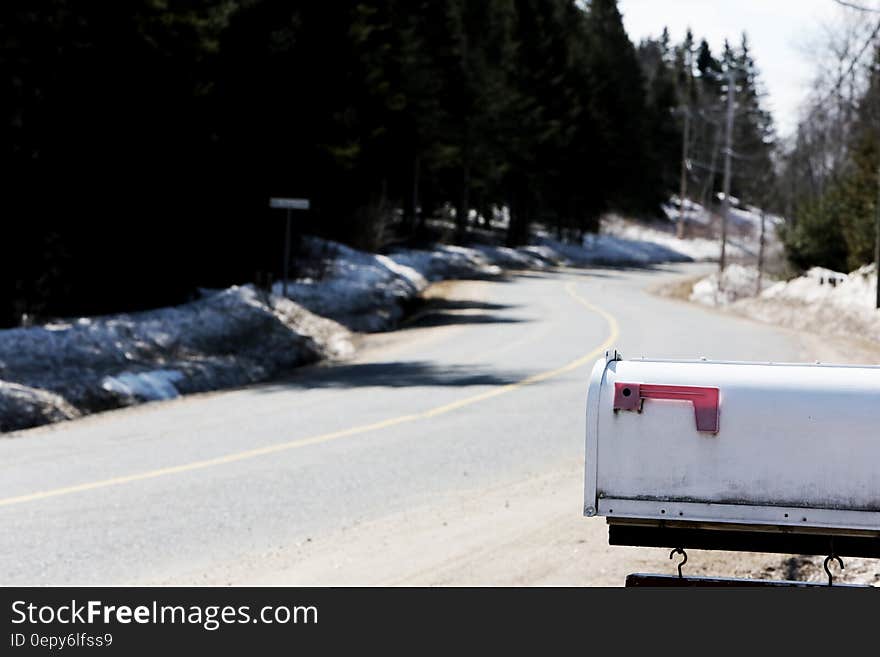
(367,292)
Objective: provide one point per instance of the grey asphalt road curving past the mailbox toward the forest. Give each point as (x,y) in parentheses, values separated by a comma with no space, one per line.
(488,387)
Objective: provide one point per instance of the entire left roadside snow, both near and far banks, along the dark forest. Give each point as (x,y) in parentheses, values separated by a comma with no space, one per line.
(239,335)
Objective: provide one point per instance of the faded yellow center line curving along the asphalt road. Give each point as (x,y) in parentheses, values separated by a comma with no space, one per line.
(344,433)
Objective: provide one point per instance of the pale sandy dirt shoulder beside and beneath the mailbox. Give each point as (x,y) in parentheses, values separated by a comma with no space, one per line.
(522,533)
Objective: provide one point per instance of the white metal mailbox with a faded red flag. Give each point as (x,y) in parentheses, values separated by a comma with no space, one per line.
(729,455)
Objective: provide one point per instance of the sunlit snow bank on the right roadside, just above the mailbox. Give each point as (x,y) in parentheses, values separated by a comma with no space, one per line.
(822,301)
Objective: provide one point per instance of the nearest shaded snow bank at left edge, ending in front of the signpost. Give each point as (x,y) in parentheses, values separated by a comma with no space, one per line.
(233,337)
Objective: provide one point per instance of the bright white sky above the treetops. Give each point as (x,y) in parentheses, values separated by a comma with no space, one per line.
(779,31)
